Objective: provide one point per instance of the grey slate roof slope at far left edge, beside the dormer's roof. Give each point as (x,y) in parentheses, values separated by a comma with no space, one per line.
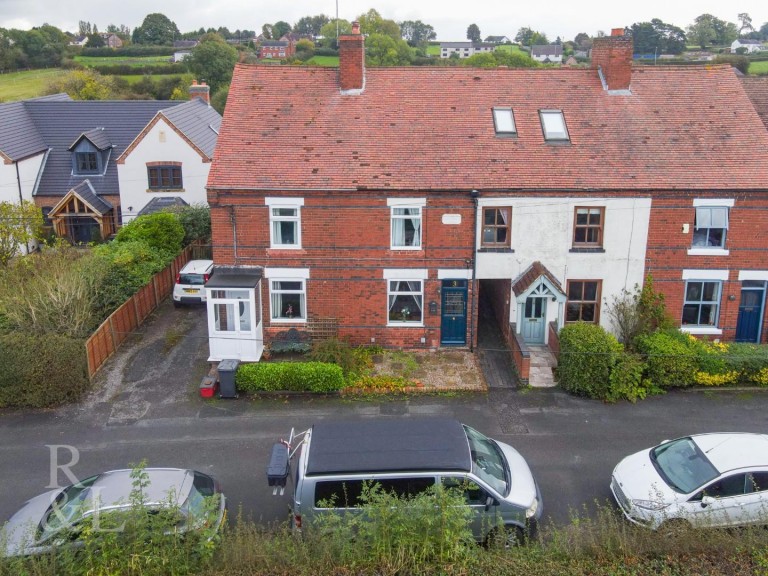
(19,137)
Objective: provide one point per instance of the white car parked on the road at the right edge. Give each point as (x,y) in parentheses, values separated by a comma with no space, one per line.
(701,480)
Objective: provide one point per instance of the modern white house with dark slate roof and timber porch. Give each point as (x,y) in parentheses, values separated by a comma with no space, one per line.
(92,165)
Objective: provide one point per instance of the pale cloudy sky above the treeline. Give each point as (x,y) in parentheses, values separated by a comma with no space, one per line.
(449,18)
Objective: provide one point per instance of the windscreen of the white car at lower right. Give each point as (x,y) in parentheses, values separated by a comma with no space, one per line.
(683,465)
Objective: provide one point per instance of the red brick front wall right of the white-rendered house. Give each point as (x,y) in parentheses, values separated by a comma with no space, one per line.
(667,254)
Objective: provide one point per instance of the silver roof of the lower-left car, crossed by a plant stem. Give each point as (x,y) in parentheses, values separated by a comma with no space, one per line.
(114,488)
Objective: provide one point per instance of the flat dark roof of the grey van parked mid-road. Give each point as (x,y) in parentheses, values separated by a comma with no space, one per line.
(388,445)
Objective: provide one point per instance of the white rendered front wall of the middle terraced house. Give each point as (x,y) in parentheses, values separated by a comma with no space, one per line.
(542,229)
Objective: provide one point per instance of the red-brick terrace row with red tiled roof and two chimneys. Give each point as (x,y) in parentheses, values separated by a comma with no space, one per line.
(412,198)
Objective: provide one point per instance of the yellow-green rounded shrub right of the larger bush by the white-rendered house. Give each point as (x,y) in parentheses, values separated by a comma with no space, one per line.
(670,358)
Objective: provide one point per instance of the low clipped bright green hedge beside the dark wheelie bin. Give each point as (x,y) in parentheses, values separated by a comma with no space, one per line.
(290,376)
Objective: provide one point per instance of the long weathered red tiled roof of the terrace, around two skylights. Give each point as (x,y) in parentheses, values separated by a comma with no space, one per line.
(422,128)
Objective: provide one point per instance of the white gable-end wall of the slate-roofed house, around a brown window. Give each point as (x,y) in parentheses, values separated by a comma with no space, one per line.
(161,144)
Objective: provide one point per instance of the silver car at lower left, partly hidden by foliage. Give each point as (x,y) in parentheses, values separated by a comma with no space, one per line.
(52,519)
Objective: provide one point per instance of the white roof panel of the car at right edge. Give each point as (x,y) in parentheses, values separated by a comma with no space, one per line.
(734,450)
